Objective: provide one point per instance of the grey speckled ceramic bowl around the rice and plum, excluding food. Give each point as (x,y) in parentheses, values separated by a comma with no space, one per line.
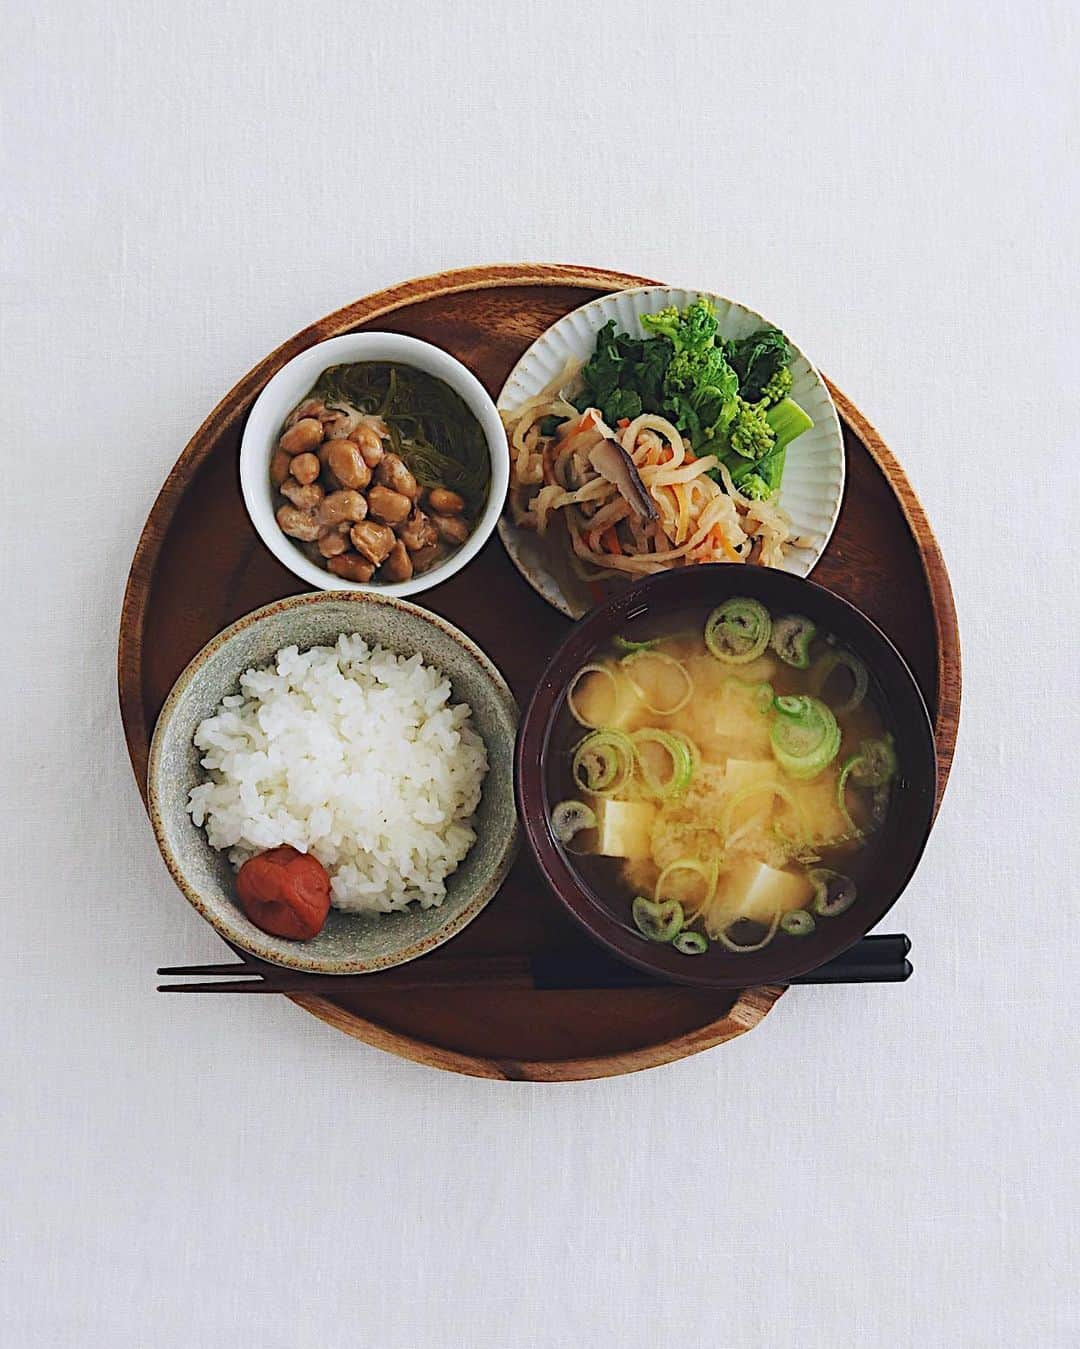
(350,944)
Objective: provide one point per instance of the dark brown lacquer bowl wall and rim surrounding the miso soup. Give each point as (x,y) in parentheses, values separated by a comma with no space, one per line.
(578,896)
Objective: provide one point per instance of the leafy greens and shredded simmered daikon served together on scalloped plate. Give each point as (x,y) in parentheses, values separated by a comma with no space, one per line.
(665,449)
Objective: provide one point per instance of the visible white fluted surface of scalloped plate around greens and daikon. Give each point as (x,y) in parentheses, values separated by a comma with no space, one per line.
(814,474)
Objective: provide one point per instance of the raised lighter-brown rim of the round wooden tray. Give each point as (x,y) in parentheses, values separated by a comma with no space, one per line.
(753,1004)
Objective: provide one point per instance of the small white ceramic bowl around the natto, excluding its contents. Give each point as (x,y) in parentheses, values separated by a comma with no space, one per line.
(288,388)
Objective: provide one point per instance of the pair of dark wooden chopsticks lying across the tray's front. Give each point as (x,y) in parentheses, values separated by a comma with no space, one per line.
(874,960)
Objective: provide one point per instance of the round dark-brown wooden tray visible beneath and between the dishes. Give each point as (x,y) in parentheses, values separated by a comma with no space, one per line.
(200,565)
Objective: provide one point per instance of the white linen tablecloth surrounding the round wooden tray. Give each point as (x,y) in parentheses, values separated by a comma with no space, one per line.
(187,185)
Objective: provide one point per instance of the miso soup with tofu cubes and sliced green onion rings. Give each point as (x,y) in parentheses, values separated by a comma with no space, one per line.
(726,775)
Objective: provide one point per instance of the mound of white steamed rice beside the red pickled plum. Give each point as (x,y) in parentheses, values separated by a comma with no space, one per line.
(355,756)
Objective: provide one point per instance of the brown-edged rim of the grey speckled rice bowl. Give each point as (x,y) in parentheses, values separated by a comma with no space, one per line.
(301,961)
